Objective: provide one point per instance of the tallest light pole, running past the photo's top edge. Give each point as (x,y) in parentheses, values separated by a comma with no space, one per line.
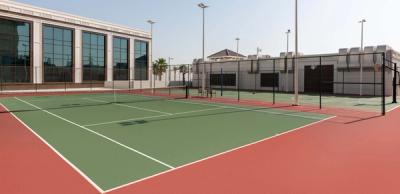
(296,65)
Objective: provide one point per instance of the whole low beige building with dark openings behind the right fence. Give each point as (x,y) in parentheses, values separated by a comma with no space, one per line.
(340,72)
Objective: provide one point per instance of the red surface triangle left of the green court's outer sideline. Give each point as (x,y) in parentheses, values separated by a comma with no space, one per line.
(28,166)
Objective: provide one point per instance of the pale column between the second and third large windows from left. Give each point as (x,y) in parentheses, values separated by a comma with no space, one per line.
(78,55)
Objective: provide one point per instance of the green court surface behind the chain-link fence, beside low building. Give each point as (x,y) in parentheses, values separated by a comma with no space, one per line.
(366,103)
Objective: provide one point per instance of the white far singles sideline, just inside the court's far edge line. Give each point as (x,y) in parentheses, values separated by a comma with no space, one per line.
(247,109)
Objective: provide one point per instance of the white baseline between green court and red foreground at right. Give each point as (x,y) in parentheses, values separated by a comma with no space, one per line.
(217,155)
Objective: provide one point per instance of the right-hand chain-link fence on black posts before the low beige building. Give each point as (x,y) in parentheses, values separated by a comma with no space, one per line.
(357,81)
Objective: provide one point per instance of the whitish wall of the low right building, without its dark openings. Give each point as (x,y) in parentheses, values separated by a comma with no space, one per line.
(251,81)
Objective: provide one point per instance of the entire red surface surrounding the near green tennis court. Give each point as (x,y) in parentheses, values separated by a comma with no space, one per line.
(352,153)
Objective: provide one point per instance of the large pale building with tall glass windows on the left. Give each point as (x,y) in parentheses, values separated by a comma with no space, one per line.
(41,46)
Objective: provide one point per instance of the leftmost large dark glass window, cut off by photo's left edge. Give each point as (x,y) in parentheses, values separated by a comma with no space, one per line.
(15,64)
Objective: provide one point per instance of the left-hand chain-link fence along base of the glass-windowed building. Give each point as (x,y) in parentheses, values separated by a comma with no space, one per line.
(14,79)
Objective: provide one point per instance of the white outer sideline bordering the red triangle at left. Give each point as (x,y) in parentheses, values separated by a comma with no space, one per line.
(55,151)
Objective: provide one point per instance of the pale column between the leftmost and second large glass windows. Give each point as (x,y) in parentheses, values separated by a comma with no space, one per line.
(37,52)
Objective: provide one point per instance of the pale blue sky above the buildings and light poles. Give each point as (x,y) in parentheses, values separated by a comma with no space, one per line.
(325,25)
